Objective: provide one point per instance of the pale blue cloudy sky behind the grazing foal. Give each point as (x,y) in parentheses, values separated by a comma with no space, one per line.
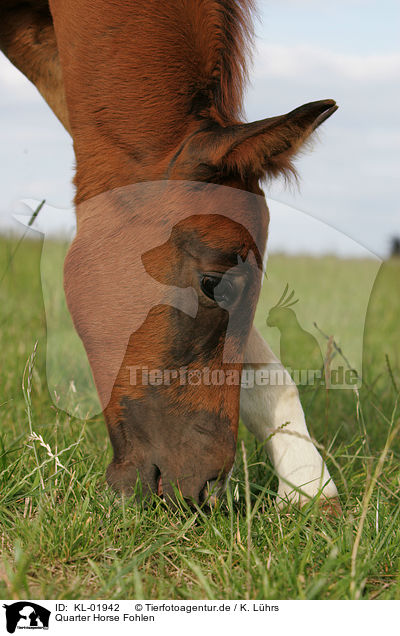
(306,50)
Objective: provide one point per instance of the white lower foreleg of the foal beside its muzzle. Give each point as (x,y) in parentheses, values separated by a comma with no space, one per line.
(273,413)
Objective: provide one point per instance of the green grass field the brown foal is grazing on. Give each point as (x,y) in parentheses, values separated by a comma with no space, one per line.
(64,534)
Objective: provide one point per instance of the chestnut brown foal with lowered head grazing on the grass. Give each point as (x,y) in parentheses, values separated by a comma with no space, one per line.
(151,93)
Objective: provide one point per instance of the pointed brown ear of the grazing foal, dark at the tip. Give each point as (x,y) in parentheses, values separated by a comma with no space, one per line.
(267,147)
